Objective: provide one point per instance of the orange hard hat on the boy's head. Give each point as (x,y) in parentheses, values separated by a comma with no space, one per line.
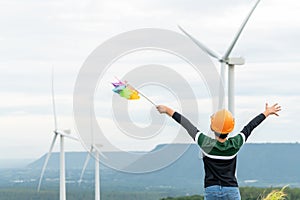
(222,122)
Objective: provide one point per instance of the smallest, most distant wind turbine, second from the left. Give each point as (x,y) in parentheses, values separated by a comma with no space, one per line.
(95,148)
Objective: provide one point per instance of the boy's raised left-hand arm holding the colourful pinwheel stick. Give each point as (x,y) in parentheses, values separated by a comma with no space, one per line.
(191,129)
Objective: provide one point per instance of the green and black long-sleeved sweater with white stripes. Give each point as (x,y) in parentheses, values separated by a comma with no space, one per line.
(219,158)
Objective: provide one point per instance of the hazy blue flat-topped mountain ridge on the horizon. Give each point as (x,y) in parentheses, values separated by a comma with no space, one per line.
(258,164)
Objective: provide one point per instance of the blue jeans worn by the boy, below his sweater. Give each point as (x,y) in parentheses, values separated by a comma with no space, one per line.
(218,192)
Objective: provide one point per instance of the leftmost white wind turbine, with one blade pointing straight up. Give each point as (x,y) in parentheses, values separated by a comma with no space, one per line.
(62,134)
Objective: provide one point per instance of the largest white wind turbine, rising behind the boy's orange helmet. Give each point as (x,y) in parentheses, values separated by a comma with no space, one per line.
(226,60)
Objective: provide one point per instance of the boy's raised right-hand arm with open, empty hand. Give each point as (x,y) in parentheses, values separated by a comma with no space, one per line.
(273,110)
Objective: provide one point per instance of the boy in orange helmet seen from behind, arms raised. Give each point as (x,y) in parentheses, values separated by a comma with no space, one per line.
(219,154)
